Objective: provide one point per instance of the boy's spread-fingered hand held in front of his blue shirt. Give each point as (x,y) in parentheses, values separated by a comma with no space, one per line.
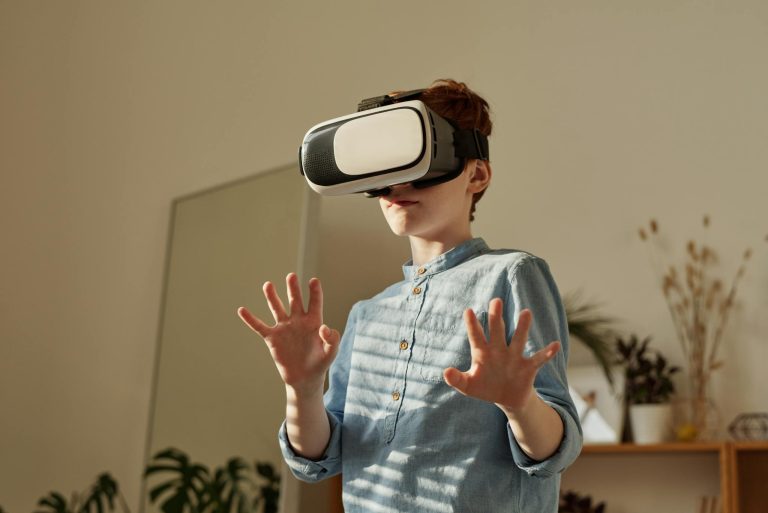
(500,373)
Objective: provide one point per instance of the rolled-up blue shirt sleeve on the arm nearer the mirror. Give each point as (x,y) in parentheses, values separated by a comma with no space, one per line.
(329,464)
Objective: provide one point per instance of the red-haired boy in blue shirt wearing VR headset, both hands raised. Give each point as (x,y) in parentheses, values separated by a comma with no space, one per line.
(445,392)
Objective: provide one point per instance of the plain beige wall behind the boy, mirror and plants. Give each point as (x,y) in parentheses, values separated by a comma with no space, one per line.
(606,113)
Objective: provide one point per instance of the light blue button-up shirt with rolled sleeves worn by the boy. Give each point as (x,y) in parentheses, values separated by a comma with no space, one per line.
(402,438)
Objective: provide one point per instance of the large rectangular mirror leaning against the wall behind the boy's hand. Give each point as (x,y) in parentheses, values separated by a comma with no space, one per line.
(217,395)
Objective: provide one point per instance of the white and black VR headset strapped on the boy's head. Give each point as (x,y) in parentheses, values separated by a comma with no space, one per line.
(392,139)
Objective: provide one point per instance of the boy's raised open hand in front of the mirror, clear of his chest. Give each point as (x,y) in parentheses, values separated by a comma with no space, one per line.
(300,344)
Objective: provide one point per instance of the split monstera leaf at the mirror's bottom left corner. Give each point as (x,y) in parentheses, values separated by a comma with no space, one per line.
(187,490)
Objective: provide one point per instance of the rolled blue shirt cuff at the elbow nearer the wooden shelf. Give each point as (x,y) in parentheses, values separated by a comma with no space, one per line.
(566,453)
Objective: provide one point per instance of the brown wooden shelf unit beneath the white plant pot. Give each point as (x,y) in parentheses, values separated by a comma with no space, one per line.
(743,468)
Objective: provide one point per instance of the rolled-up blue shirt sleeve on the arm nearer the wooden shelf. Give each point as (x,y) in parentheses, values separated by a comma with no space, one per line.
(533,287)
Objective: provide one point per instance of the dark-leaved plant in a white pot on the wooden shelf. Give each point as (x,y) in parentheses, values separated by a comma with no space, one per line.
(648,389)
